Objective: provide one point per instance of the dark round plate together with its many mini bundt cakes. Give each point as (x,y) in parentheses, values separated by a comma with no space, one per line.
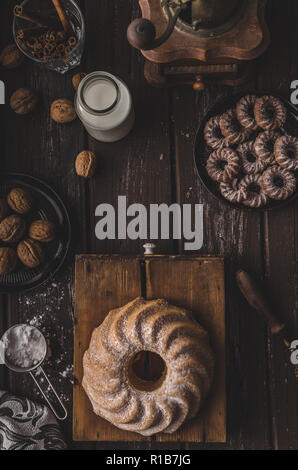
(246,151)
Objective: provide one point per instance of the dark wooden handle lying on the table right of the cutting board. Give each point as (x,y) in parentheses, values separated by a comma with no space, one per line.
(257,301)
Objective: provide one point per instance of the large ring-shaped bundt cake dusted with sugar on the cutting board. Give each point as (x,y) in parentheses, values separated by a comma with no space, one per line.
(130,402)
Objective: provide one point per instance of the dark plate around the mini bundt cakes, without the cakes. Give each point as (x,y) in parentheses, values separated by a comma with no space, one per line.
(202,151)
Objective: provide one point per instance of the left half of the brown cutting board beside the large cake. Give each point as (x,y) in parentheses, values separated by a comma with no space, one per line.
(100,285)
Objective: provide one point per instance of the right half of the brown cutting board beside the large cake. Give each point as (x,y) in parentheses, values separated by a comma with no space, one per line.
(198,285)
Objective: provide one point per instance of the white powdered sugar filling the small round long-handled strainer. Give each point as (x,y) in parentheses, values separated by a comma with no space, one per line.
(24,346)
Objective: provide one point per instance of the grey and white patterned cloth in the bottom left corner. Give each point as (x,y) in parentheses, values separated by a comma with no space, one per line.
(25,425)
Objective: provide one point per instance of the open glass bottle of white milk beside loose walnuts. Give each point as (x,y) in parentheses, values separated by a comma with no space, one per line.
(104,105)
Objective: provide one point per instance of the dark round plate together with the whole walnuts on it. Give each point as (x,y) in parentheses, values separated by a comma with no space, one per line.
(34,232)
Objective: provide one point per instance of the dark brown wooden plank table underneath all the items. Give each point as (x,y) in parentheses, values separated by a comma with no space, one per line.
(155,164)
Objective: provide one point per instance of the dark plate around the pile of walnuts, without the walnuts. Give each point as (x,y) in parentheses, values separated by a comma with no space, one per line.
(47,205)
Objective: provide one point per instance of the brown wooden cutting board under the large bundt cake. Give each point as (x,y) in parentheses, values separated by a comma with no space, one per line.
(105,282)
